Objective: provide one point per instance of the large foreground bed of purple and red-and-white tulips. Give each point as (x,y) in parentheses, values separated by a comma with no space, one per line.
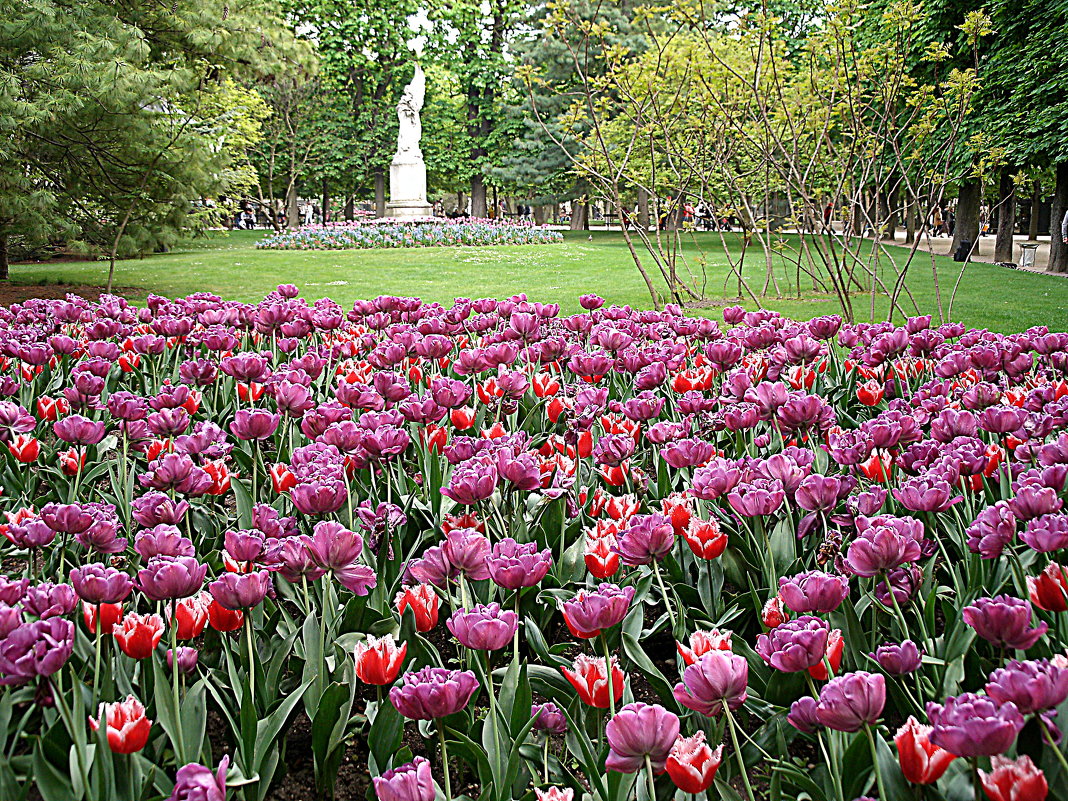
(607,556)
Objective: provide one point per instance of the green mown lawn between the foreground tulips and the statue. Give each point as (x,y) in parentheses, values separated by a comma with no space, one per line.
(231,266)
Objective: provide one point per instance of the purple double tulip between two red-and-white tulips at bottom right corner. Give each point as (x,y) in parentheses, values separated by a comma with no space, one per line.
(975,726)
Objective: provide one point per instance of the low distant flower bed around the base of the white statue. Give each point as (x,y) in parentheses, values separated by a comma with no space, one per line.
(430,233)
